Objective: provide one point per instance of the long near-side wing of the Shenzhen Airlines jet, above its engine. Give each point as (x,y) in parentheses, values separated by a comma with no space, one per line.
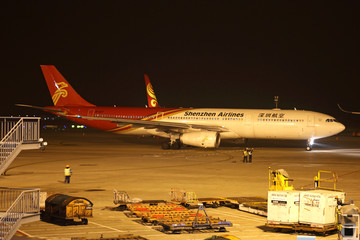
(166,126)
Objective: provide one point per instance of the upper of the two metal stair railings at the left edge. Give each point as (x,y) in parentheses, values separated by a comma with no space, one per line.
(15,131)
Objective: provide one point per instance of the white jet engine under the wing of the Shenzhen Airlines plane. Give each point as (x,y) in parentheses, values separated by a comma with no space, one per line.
(205,139)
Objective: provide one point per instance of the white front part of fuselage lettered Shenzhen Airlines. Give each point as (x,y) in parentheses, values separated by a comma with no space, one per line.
(261,123)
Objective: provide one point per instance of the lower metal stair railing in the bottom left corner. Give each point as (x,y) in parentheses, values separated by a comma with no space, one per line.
(17,203)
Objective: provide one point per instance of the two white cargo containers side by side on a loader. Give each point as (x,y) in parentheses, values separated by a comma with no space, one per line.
(313,210)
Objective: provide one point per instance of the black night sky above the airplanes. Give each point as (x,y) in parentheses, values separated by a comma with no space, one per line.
(220,54)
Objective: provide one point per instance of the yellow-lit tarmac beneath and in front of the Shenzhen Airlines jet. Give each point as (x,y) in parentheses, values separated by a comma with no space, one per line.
(102,162)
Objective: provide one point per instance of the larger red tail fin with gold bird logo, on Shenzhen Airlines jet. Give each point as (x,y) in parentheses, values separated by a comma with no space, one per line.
(61,92)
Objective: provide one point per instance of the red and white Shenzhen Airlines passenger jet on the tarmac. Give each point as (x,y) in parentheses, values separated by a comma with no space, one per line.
(199,127)
